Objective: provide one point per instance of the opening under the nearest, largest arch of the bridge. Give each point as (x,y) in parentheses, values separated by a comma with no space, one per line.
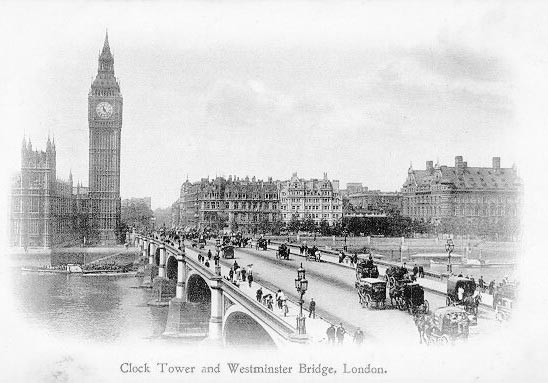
(241,330)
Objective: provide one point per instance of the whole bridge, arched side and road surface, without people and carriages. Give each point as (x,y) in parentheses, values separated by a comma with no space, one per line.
(204,302)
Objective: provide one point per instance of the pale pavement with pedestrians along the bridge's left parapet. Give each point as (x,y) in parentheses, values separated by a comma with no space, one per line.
(315,328)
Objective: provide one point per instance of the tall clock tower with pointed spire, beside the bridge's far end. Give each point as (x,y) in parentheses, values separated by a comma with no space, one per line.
(105,124)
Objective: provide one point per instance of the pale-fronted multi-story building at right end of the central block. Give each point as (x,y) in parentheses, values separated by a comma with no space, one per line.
(315,199)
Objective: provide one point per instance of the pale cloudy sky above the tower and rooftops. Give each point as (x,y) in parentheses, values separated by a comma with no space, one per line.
(359,90)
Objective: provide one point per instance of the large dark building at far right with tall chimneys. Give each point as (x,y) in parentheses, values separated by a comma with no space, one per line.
(481,198)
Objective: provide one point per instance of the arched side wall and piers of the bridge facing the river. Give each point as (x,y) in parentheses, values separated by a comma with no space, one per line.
(205,303)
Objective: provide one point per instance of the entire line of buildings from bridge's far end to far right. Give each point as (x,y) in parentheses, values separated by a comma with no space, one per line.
(481,197)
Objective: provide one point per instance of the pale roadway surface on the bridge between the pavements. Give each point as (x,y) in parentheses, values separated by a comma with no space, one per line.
(332,287)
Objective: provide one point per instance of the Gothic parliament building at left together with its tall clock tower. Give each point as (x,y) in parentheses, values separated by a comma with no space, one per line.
(48,212)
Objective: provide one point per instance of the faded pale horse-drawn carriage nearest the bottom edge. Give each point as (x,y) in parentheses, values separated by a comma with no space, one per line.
(448,324)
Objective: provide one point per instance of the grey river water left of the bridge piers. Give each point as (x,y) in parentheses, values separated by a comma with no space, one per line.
(102,308)
